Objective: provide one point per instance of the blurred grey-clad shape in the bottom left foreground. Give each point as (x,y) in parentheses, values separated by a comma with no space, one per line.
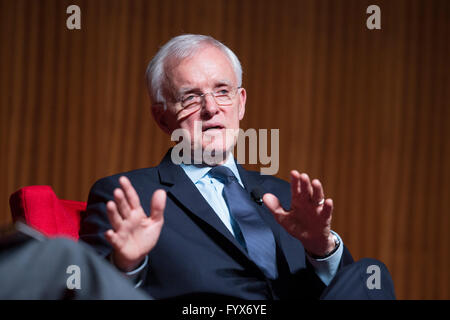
(34,267)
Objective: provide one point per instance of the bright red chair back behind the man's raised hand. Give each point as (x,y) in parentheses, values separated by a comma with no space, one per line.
(40,208)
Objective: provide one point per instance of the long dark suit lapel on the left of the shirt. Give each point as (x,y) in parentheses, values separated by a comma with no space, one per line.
(187,194)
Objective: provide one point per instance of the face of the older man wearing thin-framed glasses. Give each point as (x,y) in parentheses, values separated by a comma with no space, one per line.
(208,123)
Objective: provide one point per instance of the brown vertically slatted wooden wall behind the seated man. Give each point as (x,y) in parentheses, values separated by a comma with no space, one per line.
(367,112)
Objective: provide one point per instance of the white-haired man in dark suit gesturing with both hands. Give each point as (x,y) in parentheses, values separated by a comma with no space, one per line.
(217,241)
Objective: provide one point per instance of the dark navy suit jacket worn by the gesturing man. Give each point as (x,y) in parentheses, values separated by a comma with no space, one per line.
(196,255)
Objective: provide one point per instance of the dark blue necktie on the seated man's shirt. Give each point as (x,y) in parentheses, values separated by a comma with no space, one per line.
(258,237)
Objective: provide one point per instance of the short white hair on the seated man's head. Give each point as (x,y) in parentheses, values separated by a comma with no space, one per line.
(179,48)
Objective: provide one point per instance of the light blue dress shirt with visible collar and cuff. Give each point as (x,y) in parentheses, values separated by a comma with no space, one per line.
(211,189)
